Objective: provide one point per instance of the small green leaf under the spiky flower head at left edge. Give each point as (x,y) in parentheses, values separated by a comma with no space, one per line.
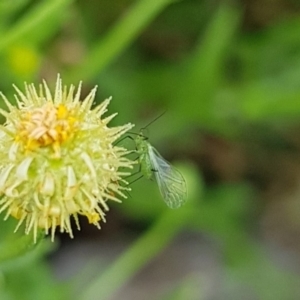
(16,247)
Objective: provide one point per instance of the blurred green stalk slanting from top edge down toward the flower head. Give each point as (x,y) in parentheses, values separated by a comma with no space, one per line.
(119,37)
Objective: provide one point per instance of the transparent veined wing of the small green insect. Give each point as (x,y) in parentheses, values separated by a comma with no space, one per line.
(171,183)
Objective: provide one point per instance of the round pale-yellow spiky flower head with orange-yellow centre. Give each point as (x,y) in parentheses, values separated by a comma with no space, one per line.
(58,159)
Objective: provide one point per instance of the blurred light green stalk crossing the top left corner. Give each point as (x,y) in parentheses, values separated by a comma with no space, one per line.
(32,21)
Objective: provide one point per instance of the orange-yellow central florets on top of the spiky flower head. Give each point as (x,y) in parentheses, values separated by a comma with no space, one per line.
(48,125)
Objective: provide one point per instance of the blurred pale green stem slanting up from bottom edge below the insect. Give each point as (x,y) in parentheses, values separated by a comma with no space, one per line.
(140,253)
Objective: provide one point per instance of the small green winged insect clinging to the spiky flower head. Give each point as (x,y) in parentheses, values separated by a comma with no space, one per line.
(170,182)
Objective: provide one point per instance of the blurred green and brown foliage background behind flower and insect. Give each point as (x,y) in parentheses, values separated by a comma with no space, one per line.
(227,73)
